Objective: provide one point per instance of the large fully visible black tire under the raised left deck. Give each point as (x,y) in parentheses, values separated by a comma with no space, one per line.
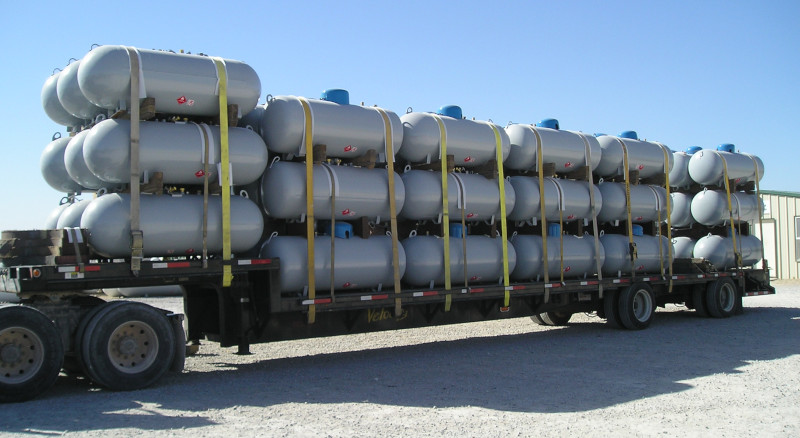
(127,346)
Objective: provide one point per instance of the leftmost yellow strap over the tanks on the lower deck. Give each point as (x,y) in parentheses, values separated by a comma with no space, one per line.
(308,143)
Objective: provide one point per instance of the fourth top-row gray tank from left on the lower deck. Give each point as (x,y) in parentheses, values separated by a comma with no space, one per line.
(643,156)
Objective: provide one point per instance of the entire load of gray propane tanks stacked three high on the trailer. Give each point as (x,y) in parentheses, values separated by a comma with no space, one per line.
(588,228)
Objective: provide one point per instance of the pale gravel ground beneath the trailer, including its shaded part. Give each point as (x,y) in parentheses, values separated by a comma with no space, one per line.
(684,376)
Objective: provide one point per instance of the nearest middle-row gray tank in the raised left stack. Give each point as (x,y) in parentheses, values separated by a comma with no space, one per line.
(175,149)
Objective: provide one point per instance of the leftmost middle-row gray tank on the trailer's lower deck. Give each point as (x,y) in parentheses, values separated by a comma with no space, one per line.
(360,192)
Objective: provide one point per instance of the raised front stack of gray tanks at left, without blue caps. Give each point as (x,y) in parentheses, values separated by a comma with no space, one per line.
(90,94)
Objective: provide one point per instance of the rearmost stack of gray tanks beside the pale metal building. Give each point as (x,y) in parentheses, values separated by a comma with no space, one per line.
(702,214)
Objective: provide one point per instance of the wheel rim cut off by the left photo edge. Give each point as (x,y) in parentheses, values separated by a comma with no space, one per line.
(21,355)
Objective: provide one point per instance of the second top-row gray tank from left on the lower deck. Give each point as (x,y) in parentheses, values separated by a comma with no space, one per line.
(472,143)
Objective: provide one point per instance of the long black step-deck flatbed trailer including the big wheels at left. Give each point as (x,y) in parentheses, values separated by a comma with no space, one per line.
(62,323)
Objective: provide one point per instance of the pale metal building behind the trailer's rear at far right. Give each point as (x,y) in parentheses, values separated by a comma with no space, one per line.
(781,229)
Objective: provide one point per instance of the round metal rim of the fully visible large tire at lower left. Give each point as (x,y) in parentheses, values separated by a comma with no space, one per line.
(133,347)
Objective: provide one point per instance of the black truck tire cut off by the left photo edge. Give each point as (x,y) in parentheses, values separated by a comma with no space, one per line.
(31,353)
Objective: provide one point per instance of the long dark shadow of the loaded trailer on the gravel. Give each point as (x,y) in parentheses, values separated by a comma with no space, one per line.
(581,367)
